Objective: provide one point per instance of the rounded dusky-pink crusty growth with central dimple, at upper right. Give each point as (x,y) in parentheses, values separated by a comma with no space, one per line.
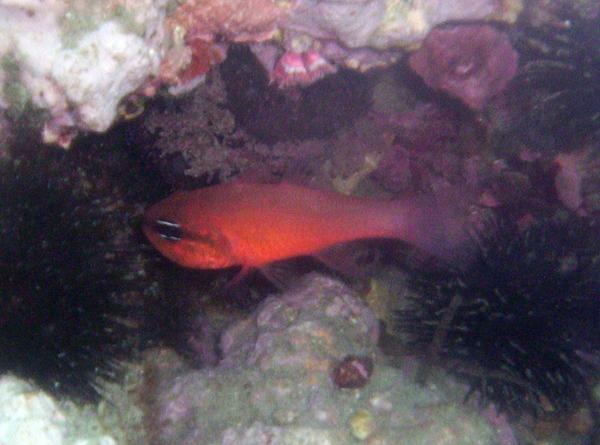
(471,62)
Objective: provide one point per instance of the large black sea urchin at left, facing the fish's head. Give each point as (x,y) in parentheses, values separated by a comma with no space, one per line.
(60,323)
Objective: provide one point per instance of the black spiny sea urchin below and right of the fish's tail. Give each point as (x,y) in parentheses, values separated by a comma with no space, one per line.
(521,324)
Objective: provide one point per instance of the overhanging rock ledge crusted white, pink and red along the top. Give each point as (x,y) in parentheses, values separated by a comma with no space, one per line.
(77,62)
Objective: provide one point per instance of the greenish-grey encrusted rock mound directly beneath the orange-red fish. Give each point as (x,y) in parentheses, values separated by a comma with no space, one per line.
(274,383)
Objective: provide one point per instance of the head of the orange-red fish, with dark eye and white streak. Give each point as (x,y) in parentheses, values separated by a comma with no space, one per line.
(180,234)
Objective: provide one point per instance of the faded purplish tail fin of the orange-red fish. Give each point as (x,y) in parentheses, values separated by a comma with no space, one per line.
(438,224)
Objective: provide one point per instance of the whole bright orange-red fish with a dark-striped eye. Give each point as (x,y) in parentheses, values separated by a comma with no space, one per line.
(253,225)
